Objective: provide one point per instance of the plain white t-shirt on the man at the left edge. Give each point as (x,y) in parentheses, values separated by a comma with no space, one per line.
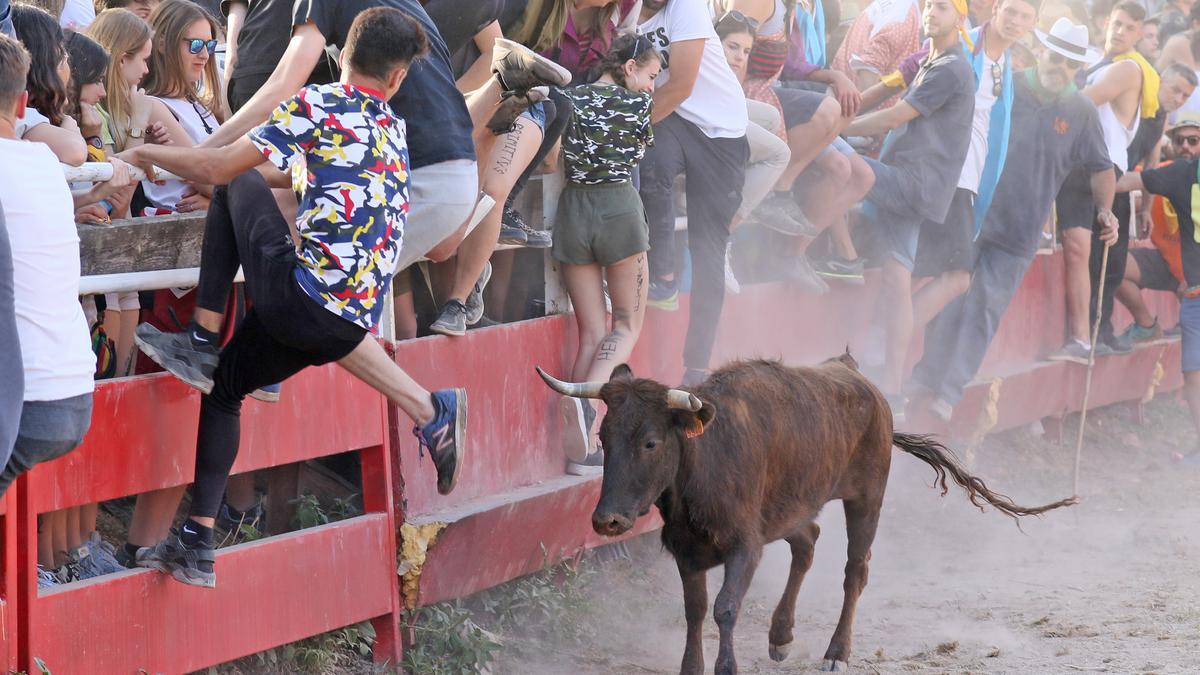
(56,345)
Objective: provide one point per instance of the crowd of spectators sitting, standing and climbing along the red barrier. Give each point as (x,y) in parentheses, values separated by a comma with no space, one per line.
(944,142)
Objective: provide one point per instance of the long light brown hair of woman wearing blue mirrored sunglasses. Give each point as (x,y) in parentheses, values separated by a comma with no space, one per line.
(167,79)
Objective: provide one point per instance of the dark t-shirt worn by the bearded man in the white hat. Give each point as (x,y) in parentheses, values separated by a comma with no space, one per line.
(1049,140)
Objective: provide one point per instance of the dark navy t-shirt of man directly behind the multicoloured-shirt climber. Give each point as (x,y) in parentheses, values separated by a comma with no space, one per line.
(439,123)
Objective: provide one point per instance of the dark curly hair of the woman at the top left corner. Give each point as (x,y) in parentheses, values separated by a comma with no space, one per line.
(41,35)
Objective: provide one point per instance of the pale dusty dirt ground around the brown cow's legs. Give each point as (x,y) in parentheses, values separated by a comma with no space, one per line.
(1108,587)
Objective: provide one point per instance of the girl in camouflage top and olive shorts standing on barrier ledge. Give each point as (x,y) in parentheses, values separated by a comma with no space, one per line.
(601,229)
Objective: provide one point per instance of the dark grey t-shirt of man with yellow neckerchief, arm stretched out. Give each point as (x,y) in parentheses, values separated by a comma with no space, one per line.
(929,151)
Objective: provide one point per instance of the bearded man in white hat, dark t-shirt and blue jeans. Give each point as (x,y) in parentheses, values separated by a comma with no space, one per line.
(1055,132)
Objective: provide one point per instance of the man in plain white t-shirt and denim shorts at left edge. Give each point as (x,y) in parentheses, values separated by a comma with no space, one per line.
(56,347)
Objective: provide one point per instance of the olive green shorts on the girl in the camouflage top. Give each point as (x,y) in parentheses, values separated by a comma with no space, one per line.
(599,224)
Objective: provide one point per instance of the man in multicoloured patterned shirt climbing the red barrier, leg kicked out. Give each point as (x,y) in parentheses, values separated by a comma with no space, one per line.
(316,304)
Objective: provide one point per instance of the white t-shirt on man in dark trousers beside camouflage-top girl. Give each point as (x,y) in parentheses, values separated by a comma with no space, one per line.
(717,104)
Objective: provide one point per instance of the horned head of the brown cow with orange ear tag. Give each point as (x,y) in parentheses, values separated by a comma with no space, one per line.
(644,433)
